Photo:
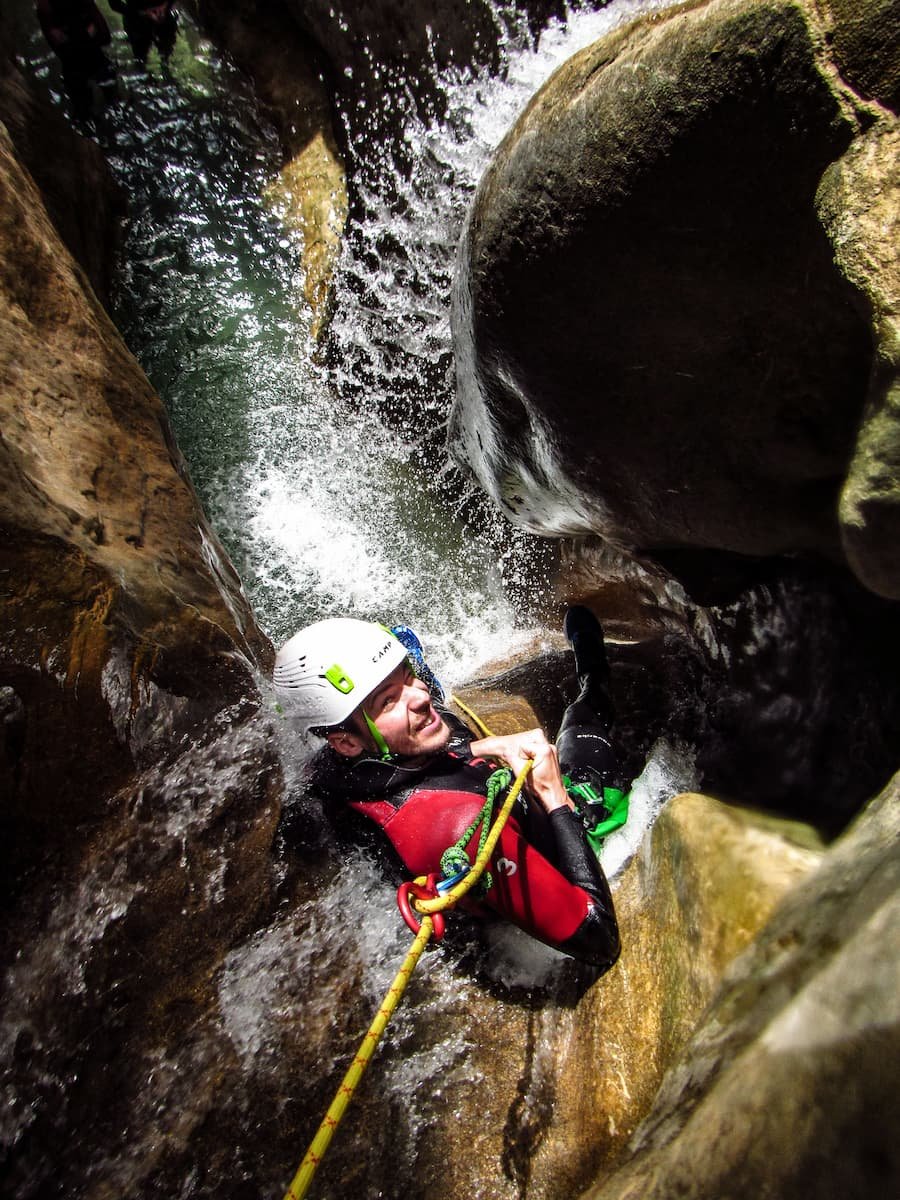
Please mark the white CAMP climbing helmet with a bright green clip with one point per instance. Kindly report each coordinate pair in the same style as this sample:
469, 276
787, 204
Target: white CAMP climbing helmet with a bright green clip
327, 670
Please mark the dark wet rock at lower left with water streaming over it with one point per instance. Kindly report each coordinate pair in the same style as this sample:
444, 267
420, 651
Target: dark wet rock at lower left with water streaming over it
112, 1049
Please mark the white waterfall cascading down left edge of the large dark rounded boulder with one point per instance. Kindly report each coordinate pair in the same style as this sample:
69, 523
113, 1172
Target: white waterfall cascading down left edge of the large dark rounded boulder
413, 237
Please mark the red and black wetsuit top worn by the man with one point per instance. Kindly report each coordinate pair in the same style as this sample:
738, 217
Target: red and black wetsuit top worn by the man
547, 879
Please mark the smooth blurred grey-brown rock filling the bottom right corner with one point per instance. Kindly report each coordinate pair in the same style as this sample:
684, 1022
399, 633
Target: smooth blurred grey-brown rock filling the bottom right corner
789, 1085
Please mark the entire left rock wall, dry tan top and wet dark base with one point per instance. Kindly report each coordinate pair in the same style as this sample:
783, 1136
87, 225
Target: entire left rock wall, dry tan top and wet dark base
140, 783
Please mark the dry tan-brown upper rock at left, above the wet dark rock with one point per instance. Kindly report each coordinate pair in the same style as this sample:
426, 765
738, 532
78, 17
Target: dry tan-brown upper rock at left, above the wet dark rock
125, 625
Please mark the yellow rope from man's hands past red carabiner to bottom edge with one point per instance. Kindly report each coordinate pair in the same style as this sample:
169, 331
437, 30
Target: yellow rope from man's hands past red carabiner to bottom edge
320, 1144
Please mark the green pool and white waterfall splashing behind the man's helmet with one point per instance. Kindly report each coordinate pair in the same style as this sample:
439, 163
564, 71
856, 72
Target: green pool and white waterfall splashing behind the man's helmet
321, 481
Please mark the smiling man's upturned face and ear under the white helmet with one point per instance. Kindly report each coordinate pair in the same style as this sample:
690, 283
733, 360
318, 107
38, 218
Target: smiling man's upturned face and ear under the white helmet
403, 712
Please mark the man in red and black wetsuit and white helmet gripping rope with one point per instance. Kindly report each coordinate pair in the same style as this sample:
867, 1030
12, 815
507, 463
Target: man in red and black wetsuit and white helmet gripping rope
398, 757
